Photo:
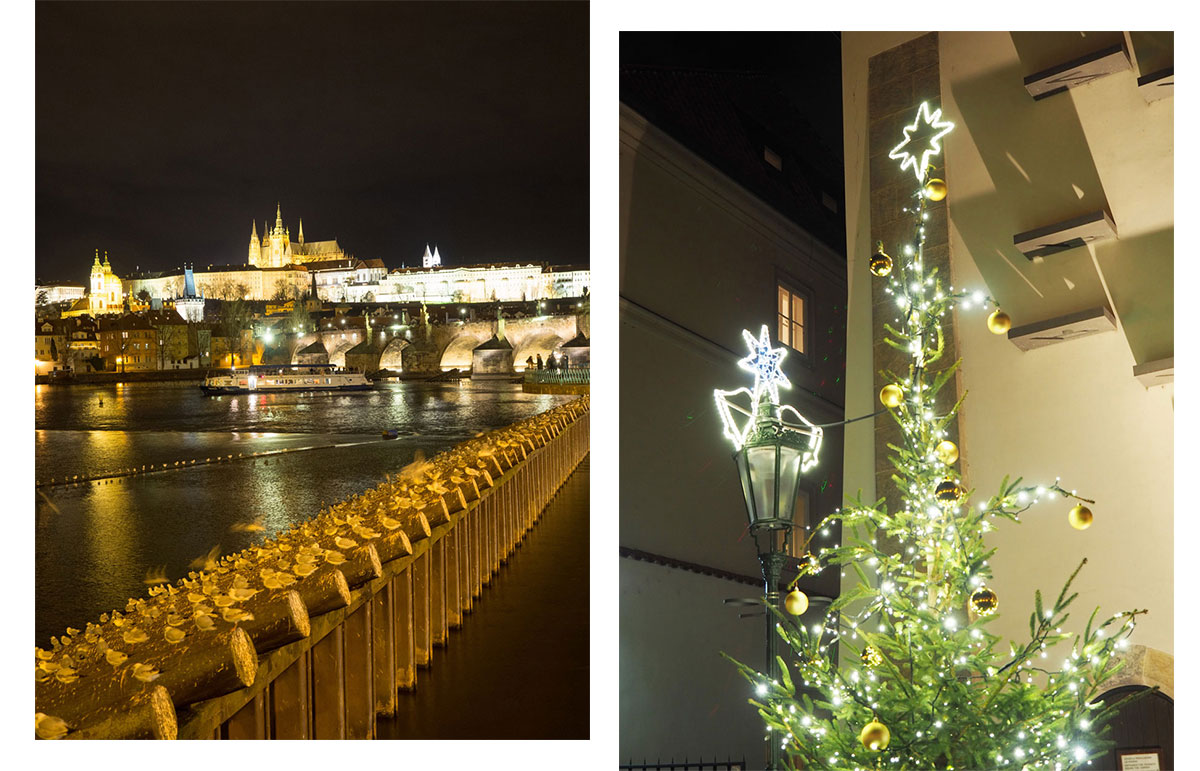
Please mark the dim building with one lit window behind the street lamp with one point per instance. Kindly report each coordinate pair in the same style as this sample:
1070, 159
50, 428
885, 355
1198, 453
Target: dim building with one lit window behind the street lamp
707, 253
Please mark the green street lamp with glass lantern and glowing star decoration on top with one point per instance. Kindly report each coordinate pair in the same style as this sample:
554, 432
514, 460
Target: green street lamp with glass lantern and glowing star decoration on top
771, 456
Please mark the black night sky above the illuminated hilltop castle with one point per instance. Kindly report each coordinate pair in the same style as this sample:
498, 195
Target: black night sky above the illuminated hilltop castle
165, 128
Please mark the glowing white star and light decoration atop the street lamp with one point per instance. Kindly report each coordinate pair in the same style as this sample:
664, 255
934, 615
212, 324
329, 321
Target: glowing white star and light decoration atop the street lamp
765, 363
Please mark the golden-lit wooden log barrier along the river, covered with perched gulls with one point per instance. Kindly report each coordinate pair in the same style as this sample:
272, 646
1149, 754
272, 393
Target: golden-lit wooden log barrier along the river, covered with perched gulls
314, 633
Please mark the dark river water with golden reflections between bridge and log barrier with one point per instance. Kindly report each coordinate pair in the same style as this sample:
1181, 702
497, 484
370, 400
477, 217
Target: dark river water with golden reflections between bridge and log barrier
98, 542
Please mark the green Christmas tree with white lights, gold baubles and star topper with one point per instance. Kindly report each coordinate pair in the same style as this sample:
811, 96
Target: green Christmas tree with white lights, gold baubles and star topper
922, 683
